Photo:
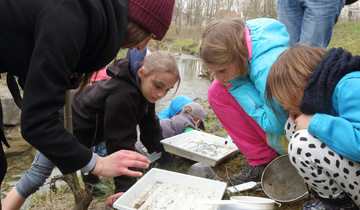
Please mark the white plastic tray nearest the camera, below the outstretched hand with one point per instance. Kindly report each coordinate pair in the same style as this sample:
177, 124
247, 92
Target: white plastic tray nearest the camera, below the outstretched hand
162, 189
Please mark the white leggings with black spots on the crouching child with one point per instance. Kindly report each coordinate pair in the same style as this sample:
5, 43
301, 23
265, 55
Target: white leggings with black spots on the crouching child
328, 173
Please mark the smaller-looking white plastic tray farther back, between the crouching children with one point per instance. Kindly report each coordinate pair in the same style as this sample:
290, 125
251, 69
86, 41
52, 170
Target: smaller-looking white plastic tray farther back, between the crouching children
201, 147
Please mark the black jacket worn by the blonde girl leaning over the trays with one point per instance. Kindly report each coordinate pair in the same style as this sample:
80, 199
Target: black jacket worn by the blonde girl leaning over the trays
110, 110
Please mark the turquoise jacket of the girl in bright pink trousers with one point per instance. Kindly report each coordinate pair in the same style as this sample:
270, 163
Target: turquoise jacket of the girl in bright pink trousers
268, 40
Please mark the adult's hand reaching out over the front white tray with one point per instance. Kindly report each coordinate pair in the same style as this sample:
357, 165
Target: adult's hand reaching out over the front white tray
118, 164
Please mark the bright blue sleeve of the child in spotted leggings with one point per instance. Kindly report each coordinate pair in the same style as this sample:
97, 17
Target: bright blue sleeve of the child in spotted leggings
341, 133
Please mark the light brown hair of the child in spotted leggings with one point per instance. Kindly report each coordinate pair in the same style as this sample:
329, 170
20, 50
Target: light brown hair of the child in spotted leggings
290, 74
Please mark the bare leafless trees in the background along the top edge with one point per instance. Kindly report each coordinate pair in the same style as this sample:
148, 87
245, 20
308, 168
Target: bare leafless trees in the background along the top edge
195, 14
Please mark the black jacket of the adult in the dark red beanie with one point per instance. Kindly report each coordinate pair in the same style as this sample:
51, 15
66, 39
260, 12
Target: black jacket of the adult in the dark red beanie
44, 42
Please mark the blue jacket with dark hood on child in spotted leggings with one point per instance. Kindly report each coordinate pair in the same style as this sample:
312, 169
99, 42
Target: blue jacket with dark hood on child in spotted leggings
333, 94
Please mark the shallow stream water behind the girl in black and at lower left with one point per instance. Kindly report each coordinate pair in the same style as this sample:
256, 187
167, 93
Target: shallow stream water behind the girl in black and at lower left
191, 85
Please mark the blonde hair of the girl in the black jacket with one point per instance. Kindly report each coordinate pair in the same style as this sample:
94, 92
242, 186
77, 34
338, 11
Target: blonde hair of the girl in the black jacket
160, 62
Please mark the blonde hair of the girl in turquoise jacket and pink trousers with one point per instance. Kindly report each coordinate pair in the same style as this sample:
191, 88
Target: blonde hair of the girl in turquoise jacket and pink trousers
223, 42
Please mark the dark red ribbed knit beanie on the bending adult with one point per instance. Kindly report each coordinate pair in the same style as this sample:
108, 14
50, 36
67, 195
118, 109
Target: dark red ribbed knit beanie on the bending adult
153, 15
